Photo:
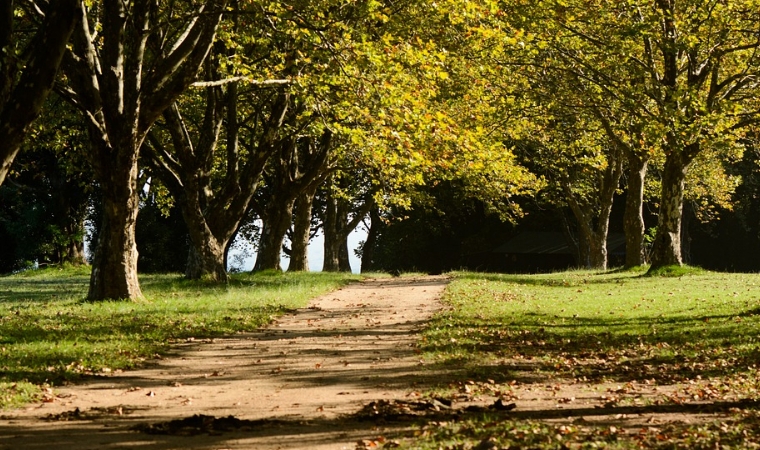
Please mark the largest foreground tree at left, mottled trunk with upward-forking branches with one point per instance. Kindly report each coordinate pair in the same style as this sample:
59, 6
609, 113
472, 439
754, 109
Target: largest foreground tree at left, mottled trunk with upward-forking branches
127, 65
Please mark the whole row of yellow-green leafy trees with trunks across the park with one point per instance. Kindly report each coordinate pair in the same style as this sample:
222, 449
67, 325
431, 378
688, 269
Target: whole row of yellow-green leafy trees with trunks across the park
318, 115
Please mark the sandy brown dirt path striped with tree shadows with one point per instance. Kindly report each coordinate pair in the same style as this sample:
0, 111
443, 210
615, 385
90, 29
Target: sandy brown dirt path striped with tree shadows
296, 380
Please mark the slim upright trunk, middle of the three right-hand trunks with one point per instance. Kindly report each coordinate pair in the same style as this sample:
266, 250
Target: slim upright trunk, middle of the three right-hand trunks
633, 220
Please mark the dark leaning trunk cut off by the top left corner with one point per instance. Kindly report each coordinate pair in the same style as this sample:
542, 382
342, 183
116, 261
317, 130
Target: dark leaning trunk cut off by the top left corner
28, 66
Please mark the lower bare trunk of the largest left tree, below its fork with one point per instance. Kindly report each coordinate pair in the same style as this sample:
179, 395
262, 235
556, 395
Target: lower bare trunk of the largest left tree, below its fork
114, 268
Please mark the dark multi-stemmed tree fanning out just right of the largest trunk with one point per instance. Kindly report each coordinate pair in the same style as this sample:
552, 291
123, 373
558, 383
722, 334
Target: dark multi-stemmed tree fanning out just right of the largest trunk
214, 197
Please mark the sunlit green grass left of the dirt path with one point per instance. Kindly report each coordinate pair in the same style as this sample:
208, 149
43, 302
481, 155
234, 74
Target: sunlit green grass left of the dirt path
50, 335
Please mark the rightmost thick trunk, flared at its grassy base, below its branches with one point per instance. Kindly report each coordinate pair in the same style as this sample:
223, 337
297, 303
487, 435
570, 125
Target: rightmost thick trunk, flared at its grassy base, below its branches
666, 250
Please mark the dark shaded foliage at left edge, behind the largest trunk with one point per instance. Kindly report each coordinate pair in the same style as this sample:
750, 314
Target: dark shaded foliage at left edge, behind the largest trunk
47, 197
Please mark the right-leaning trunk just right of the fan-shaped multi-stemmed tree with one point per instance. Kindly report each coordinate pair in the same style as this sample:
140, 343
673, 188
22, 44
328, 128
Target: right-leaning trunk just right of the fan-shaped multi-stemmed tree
276, 223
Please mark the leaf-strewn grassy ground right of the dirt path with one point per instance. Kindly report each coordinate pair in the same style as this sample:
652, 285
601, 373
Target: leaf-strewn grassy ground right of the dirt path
597, 360
